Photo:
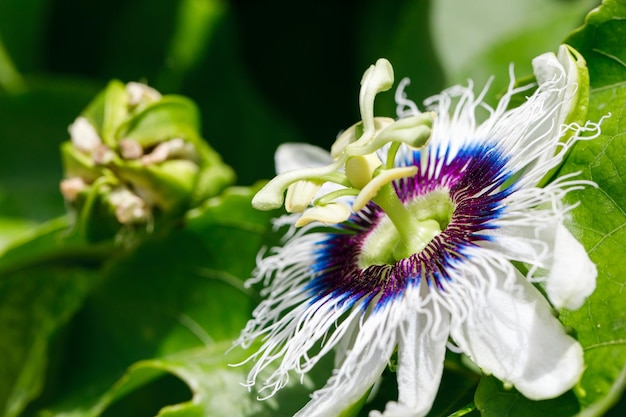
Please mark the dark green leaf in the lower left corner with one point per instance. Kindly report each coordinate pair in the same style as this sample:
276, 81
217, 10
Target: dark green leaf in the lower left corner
34, 303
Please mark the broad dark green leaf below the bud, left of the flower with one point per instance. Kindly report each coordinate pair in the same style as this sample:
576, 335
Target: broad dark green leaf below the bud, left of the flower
176, 293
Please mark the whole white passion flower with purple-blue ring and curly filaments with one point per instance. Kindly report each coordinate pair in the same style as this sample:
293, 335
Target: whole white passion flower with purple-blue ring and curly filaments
426, 254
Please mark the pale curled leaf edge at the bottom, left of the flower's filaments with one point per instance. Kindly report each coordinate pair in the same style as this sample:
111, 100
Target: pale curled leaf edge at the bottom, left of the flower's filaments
215, 380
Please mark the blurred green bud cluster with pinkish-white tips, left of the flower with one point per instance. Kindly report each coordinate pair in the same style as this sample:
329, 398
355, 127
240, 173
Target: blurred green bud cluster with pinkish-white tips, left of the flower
137, 158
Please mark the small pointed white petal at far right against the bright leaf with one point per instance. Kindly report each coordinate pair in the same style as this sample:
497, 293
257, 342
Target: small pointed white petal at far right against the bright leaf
572, 276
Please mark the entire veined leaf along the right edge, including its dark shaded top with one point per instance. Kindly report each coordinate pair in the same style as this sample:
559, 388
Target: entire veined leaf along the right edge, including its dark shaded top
599, 220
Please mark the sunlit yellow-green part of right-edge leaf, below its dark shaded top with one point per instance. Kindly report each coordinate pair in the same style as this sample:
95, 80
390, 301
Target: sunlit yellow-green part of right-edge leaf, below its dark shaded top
599, 223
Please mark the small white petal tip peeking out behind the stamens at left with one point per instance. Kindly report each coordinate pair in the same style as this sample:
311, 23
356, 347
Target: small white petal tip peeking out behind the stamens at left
290, 156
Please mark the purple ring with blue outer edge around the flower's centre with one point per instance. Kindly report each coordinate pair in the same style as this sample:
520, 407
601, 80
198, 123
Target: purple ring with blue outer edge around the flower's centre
474, 180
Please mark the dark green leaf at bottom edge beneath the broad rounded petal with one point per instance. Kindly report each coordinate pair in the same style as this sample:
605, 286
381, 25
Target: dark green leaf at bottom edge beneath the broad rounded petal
493, 400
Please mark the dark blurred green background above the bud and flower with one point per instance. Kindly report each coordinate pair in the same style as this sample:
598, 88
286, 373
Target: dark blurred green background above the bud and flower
262, 72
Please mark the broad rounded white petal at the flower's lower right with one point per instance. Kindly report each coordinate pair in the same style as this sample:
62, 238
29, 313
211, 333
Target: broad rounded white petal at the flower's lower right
512, 334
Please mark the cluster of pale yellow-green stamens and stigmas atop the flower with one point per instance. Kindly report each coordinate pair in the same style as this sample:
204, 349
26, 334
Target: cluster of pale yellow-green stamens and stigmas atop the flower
356, 165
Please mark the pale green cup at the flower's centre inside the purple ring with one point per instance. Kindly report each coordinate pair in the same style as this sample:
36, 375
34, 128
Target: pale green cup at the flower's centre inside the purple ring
428, 216
